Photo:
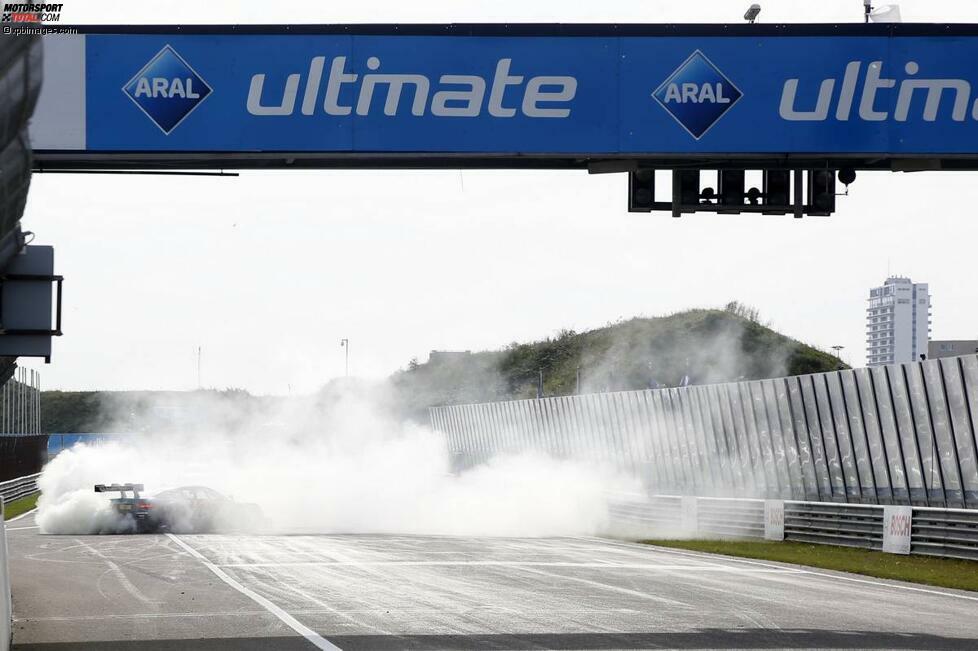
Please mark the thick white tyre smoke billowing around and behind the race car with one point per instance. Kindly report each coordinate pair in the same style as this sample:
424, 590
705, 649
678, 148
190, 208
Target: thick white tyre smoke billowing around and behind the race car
342, 465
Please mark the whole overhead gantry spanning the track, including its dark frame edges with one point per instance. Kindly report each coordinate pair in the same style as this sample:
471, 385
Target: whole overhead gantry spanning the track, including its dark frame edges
601, 97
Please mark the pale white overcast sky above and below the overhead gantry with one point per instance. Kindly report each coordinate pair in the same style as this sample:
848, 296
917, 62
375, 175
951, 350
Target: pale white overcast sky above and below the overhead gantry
266, 272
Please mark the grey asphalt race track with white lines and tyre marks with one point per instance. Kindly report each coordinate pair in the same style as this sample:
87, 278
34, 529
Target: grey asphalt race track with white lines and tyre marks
160, 592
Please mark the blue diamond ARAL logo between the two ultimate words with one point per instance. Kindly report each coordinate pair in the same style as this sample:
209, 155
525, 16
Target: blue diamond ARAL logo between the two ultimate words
697, 94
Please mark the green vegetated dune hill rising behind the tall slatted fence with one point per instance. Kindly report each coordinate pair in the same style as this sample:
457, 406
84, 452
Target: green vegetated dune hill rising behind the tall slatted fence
708, 345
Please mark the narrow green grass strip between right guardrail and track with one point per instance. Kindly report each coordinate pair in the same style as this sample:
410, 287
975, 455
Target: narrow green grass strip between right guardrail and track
942, 572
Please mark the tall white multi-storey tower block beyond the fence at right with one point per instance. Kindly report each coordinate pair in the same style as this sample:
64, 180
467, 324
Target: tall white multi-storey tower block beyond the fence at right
897, 322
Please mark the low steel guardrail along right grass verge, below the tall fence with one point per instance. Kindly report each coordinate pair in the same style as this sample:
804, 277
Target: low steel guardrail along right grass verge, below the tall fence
948, 533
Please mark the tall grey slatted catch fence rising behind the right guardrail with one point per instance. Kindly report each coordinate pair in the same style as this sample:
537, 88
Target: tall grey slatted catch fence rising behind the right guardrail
897, 434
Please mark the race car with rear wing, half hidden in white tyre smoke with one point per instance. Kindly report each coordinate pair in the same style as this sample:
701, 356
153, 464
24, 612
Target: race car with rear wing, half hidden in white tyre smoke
187, 509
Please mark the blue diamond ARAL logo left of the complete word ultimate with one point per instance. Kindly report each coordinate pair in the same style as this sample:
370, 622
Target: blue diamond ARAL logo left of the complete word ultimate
167, 89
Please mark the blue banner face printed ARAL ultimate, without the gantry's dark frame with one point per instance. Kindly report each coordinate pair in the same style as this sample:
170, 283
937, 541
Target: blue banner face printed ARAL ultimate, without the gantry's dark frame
537, 95
